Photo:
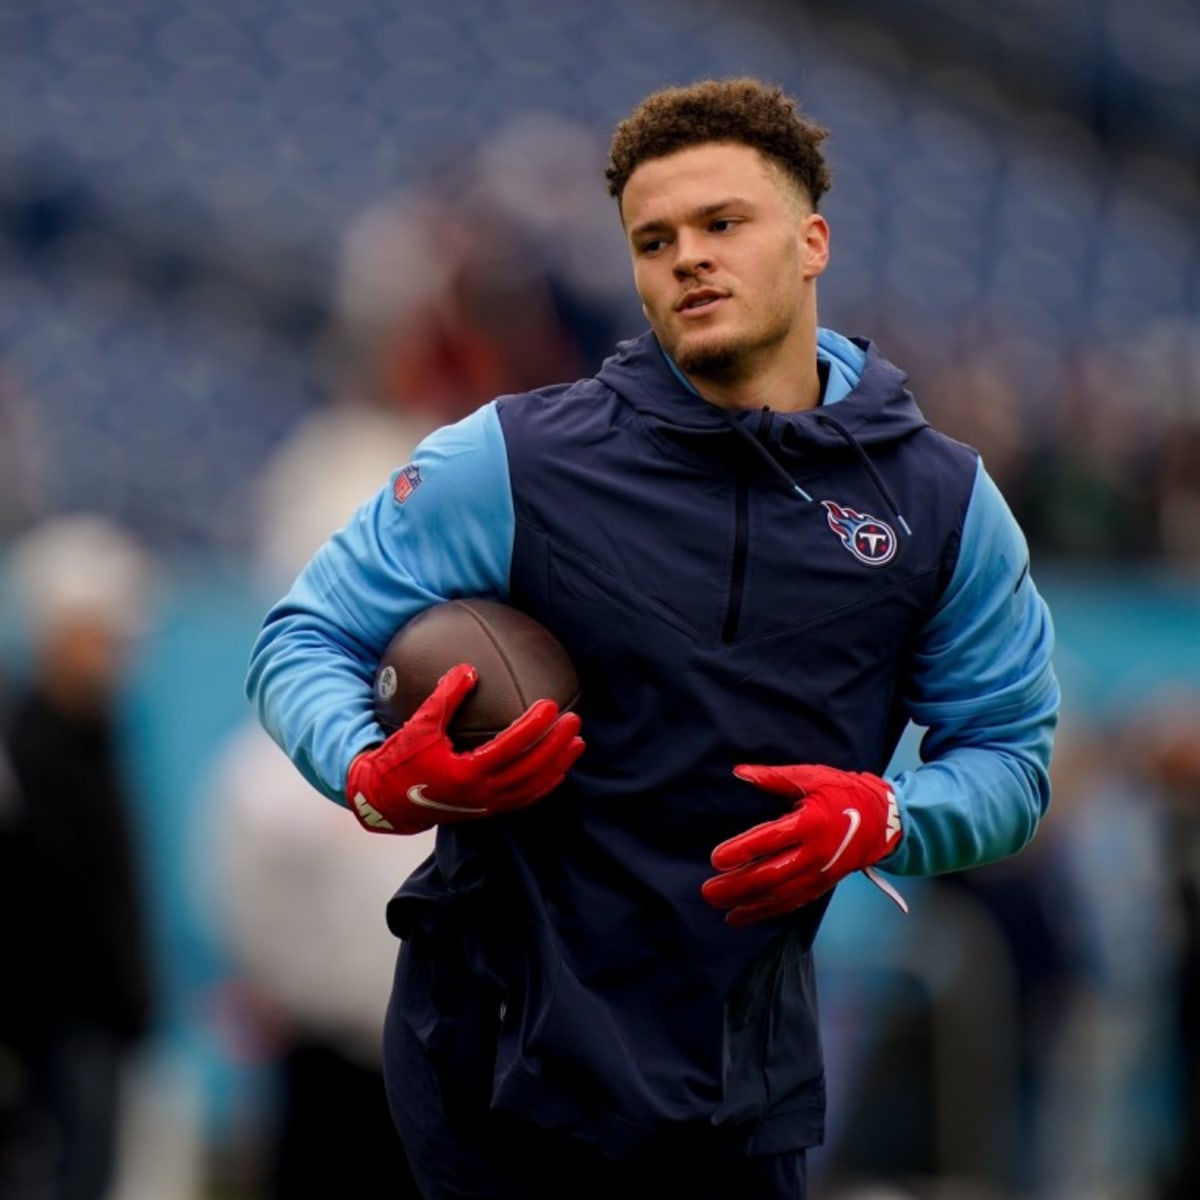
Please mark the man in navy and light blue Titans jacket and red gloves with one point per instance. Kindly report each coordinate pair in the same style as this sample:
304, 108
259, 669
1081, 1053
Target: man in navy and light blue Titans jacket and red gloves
765, 565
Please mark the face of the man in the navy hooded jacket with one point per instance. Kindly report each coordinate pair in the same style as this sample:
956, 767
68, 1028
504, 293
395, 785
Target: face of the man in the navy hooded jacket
727, 254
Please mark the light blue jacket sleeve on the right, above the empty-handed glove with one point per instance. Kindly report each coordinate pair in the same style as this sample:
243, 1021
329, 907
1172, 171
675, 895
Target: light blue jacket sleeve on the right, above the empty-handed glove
985, 689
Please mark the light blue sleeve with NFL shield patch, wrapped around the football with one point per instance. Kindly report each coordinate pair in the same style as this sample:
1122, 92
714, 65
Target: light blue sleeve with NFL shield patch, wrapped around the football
446, 533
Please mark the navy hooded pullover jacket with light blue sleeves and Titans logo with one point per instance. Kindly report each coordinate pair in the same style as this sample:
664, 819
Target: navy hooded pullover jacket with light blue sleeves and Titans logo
734, 587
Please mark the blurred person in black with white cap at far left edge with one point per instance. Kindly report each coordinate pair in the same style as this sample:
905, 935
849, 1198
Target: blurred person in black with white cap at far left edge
79, 986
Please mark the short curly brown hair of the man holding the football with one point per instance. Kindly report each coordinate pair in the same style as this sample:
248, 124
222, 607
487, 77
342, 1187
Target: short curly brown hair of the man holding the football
743, 111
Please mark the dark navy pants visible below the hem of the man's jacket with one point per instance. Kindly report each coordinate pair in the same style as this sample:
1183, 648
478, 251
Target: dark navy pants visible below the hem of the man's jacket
497, 1157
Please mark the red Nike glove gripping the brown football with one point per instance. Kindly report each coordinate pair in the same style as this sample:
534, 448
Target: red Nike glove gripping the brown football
417, 779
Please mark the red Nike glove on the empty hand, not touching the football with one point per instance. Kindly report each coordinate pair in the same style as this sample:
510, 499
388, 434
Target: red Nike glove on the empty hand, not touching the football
843, 821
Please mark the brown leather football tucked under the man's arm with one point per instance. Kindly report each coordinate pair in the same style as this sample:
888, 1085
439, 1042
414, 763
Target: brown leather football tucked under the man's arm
519, 662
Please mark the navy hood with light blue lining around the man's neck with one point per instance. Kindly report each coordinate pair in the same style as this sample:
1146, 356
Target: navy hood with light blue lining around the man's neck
865, 394
